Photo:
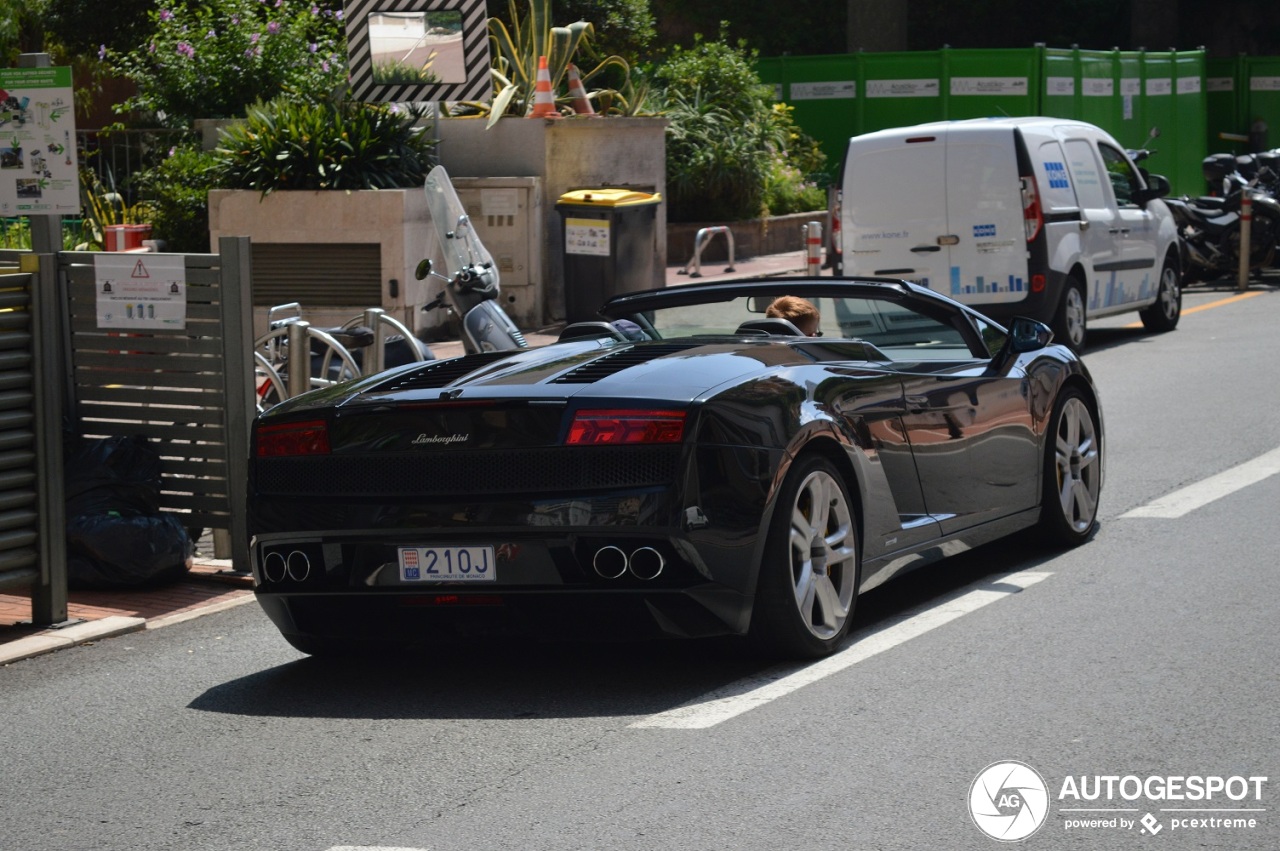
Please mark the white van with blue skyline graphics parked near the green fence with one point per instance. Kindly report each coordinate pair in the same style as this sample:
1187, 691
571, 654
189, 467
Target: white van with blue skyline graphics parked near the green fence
1035, 217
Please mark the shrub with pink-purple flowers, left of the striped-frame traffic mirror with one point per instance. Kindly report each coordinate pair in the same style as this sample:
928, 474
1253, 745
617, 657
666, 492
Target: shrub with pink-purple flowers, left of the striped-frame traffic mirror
216, 60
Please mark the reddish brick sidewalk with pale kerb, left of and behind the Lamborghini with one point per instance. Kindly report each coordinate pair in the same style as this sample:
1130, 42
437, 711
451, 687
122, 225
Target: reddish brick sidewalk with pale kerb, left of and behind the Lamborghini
212, 587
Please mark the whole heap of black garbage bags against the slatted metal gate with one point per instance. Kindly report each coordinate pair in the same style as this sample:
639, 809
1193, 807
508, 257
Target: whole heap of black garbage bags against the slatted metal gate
116, 534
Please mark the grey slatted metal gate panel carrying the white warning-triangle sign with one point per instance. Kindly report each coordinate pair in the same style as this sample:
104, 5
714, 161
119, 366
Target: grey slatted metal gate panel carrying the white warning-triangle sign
189, 392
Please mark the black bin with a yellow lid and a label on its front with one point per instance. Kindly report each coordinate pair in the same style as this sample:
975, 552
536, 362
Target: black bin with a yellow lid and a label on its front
610, 246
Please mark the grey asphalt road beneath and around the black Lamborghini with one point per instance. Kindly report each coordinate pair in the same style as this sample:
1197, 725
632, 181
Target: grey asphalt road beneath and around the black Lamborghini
1150, 655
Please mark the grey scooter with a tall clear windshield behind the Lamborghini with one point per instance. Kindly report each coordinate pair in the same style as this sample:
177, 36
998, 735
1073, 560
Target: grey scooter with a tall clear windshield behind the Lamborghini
472, 286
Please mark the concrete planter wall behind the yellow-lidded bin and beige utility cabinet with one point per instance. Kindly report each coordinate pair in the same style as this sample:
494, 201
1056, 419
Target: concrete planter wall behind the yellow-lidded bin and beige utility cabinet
565, 155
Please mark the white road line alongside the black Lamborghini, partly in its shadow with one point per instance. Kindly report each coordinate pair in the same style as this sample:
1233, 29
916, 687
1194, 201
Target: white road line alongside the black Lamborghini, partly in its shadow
748, 694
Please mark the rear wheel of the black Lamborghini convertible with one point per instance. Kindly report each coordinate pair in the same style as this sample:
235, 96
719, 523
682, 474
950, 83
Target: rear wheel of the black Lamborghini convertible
808, 584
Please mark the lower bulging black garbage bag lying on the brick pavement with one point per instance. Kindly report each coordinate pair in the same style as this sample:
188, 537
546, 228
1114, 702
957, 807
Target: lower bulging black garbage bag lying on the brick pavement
126, 551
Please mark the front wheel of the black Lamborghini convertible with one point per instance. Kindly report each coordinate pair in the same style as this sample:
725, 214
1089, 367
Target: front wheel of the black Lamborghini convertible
1072, 481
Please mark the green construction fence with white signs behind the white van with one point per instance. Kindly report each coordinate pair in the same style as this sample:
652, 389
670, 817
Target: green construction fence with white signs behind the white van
1200, 106
